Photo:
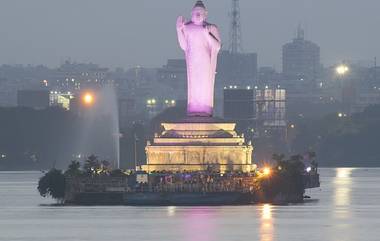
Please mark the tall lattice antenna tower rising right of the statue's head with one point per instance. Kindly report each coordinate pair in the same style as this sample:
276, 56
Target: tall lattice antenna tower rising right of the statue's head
235, 31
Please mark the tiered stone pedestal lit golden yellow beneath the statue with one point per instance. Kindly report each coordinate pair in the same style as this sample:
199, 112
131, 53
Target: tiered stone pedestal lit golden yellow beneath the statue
199, 144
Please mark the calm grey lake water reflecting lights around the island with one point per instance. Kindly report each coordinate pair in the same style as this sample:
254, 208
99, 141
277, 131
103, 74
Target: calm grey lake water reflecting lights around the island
346, 207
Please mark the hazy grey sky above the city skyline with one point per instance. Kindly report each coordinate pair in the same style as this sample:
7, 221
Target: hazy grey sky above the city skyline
142, 32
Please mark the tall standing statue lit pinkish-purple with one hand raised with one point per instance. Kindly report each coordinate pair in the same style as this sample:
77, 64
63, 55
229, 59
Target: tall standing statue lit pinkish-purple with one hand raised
201, 42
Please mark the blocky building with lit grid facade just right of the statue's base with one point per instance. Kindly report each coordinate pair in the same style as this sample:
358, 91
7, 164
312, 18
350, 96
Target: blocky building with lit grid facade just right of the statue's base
258, 112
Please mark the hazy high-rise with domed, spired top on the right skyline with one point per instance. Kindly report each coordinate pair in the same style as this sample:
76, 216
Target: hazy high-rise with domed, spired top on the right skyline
301, 59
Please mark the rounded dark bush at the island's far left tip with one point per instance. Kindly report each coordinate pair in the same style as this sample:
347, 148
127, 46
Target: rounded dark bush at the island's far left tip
52, 184
